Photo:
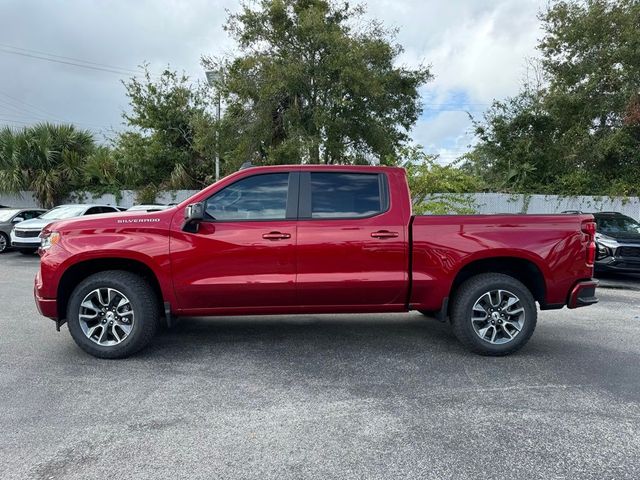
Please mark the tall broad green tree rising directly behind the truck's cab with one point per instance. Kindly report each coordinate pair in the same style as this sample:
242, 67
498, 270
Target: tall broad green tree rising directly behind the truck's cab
314, 83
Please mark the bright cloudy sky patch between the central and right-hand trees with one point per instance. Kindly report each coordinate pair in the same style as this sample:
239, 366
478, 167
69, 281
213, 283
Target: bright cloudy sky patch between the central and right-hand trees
477, 52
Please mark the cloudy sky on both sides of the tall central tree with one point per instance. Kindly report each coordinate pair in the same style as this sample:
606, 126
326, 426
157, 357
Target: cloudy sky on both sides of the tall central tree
477, 50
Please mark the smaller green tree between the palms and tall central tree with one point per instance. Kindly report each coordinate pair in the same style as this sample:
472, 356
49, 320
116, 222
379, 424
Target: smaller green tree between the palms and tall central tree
167, 145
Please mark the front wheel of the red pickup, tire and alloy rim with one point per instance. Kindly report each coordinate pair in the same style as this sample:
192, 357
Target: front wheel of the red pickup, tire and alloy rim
113, 314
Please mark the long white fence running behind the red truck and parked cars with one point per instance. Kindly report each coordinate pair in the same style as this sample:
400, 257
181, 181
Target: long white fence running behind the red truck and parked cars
483, 202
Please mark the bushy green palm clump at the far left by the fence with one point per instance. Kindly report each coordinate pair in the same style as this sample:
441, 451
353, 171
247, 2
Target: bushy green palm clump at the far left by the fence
47, 159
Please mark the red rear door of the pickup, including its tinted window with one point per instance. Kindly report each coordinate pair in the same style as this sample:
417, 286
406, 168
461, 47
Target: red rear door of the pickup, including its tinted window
351, 243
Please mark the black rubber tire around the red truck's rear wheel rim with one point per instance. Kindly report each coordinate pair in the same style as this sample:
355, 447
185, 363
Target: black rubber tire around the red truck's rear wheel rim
462, 311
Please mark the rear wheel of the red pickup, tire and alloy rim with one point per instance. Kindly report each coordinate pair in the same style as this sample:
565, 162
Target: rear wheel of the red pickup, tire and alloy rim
493, 314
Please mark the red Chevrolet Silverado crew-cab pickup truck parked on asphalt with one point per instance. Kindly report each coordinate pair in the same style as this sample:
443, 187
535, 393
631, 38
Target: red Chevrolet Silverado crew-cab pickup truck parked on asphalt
310, 239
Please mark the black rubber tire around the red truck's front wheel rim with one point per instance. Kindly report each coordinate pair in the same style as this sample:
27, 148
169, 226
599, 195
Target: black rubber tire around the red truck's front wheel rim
144, 303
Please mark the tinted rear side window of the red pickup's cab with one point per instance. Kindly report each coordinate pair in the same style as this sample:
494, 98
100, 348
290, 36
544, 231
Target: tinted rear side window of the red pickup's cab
346, 195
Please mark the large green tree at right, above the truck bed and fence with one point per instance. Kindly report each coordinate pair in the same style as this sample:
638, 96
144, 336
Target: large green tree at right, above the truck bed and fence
578, 131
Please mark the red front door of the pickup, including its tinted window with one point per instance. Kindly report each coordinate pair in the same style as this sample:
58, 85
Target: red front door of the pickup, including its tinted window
243, 254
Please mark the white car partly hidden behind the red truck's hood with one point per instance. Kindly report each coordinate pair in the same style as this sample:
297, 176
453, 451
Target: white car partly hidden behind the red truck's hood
25, 237
